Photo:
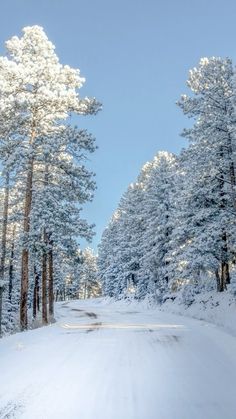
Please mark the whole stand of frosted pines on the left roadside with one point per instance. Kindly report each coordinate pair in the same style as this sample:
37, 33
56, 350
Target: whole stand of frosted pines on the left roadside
45, 180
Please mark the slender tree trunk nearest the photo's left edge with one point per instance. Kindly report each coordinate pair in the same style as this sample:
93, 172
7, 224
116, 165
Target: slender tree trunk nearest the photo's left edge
4, 243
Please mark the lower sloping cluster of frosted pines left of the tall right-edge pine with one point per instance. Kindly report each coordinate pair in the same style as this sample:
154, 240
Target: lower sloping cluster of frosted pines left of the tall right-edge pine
133, 254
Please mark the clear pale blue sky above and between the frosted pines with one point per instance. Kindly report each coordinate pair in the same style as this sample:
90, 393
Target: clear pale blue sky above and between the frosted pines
135, 55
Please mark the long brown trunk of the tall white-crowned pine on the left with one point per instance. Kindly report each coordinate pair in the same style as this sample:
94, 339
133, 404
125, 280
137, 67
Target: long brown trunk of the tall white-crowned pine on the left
25, 251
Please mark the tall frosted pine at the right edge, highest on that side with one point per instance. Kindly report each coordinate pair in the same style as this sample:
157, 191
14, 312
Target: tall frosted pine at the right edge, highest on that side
212, 161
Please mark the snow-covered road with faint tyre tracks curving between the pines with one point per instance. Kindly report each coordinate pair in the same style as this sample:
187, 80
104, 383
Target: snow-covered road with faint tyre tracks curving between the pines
111, 361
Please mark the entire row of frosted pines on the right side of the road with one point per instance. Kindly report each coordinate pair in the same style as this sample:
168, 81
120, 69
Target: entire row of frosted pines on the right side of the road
174, 230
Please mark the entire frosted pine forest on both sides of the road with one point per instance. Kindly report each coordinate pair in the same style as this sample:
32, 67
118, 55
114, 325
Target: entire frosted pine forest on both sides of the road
174, 229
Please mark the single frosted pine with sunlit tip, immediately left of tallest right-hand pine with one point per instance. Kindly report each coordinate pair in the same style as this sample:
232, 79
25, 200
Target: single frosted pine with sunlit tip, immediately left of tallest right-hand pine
159, 188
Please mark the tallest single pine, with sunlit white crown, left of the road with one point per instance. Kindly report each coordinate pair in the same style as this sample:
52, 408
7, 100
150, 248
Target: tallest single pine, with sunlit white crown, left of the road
39, 95
